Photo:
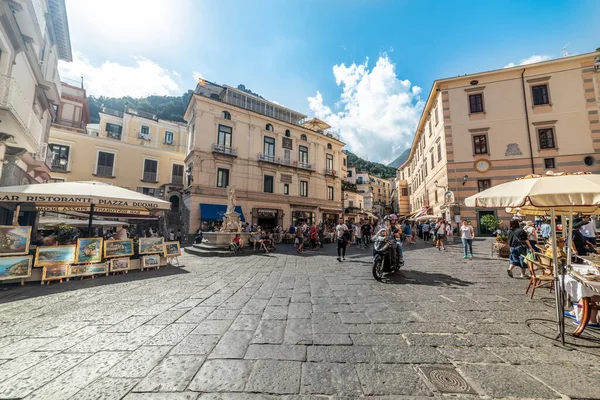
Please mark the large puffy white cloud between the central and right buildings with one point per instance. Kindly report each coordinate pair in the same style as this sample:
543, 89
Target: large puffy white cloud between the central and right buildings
378, 112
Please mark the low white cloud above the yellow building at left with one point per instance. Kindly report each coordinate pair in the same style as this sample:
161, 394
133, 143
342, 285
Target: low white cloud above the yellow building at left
112, 79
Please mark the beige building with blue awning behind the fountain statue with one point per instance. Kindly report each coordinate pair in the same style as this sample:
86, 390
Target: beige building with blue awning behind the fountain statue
284, 169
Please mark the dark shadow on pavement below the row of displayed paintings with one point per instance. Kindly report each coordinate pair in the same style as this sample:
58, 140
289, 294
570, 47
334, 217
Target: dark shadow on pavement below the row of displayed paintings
16, 292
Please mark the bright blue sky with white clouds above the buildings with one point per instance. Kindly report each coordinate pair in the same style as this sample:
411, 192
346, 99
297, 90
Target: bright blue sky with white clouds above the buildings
364, 66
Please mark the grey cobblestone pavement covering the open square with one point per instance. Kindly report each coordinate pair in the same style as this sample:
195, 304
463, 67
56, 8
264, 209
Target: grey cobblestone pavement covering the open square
292, 326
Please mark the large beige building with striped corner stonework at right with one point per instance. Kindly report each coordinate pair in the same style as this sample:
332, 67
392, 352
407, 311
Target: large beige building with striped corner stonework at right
484, 129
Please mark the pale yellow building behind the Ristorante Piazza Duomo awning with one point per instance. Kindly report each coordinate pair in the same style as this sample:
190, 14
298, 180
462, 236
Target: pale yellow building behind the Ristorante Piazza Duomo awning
130, 149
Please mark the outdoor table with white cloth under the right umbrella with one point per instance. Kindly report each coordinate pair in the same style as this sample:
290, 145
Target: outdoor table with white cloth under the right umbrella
579, 288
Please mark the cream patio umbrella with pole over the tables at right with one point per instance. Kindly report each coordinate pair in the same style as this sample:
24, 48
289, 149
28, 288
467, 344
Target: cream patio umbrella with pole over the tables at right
578, 192
